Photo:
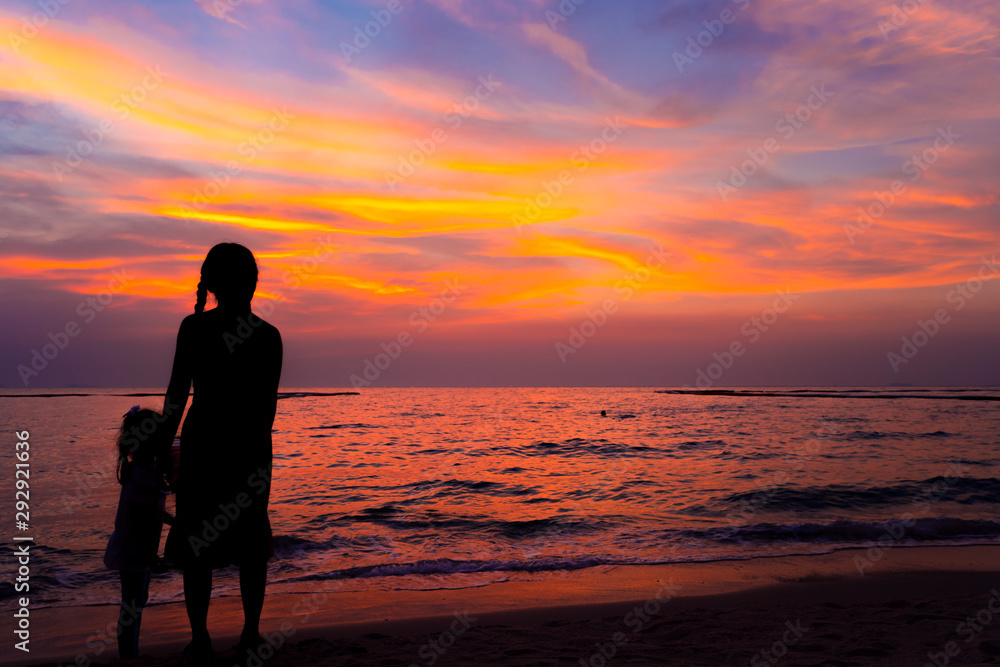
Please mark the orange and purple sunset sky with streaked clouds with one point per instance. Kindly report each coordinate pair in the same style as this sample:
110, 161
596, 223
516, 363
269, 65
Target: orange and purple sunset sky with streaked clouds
515, 192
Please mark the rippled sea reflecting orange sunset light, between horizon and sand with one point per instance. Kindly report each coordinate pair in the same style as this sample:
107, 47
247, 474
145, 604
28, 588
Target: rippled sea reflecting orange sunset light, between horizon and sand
449, 488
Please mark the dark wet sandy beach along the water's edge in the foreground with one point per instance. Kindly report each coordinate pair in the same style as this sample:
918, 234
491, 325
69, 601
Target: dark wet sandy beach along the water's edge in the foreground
911, 607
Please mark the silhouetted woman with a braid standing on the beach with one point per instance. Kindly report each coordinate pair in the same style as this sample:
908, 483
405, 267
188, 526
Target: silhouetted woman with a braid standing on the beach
224, 480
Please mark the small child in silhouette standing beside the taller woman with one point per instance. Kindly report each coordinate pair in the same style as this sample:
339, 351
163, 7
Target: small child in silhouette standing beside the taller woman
133, 545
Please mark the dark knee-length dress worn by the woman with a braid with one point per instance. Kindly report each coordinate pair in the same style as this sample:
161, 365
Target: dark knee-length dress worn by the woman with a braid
224, 482
